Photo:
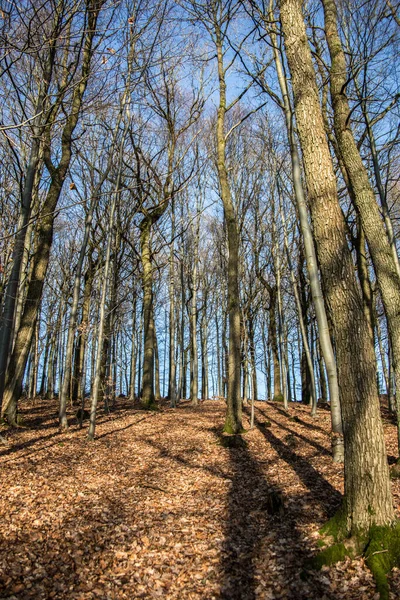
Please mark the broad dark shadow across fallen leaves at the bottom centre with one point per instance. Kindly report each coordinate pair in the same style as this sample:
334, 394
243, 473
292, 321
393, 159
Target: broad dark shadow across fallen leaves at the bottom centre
261, 536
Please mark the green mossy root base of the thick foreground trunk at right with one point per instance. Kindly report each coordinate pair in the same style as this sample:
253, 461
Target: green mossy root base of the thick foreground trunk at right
380, 547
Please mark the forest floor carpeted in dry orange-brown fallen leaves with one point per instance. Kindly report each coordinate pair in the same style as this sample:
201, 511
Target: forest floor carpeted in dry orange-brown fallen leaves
156, 507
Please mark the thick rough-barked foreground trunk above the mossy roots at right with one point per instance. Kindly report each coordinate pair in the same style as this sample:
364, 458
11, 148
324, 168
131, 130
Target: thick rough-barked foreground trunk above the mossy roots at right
367, 498
